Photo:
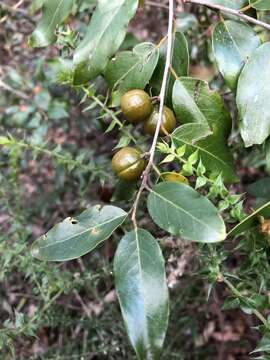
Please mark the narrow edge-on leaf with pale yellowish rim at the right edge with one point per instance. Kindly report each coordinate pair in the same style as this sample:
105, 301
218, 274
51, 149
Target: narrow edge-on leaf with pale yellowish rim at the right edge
251, 221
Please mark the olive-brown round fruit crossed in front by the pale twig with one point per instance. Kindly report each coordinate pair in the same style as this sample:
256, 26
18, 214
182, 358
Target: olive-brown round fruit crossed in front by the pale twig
168, 122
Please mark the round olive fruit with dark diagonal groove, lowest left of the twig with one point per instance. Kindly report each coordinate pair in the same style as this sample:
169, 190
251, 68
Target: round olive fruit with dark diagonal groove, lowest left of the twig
128, 164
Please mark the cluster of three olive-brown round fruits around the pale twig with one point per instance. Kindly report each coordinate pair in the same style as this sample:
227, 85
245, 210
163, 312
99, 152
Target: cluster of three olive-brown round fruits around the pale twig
136, 106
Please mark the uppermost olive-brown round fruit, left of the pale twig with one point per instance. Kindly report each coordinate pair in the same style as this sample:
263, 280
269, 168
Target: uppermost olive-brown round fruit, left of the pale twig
136, 105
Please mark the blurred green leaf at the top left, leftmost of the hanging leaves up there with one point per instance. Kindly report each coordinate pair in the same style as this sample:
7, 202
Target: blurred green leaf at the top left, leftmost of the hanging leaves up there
54, 13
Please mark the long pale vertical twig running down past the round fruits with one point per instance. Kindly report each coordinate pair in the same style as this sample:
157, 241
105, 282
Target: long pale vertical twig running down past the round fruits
162, 95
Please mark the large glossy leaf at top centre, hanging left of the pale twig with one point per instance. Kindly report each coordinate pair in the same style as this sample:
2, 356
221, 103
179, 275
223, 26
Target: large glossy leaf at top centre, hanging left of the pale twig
105, 34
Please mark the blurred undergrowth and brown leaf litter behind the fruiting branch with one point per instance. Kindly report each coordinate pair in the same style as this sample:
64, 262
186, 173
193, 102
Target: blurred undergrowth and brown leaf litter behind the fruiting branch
57, 163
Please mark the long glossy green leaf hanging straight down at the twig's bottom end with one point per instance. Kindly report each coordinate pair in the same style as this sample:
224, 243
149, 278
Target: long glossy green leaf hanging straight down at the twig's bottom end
142, 292
